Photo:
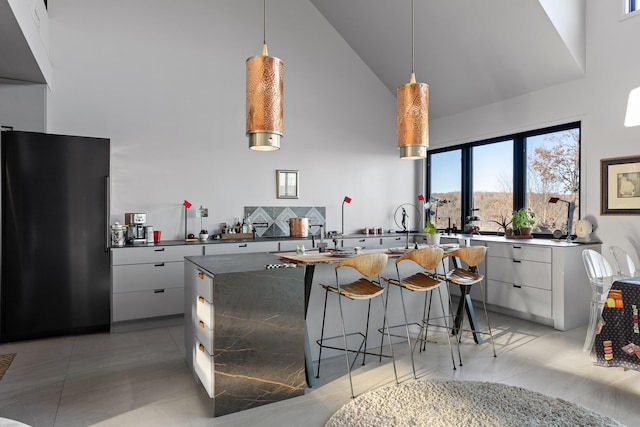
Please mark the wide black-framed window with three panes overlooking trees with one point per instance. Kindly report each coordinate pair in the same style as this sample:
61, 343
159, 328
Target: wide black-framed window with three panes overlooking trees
486, 180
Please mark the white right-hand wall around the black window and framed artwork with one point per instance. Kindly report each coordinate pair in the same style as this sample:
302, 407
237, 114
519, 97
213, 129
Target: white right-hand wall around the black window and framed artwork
599, 101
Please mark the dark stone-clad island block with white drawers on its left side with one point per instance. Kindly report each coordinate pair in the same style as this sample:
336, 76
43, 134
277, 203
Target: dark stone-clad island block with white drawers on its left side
244, 329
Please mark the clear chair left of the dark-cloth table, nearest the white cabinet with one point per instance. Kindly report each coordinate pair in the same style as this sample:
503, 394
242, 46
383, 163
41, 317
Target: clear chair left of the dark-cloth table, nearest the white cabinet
601, 278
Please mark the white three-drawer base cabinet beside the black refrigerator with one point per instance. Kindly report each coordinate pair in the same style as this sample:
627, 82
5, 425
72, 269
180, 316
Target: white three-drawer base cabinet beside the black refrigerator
148, 281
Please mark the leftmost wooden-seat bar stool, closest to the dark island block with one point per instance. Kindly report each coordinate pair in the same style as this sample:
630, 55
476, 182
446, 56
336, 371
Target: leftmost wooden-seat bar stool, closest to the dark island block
367, 287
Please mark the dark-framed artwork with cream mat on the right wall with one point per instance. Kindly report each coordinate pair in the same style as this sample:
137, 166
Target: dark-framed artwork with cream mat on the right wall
620, 186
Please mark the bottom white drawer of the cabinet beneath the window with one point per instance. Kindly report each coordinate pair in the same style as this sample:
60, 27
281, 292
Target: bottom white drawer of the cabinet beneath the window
523, 299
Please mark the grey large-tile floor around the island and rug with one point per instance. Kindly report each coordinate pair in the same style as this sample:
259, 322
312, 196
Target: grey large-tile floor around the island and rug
140, 379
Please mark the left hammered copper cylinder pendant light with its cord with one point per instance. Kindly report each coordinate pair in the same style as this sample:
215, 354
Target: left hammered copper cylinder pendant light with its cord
264, 98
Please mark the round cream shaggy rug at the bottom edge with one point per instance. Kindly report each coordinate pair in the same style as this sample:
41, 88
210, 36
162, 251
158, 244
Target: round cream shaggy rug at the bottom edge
462, 403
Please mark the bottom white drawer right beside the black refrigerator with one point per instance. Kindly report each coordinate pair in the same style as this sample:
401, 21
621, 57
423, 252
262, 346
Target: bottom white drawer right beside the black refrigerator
144, 304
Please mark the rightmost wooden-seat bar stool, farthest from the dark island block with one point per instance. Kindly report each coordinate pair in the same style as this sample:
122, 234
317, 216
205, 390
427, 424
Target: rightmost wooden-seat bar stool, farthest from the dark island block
465, 279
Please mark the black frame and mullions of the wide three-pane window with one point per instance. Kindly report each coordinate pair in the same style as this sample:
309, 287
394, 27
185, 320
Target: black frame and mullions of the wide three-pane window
519, 167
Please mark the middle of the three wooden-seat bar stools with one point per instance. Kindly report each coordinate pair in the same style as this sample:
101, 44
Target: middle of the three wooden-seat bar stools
426, 281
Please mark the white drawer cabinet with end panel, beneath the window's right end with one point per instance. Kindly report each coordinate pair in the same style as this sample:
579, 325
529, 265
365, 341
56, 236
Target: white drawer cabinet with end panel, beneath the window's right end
538, 282
